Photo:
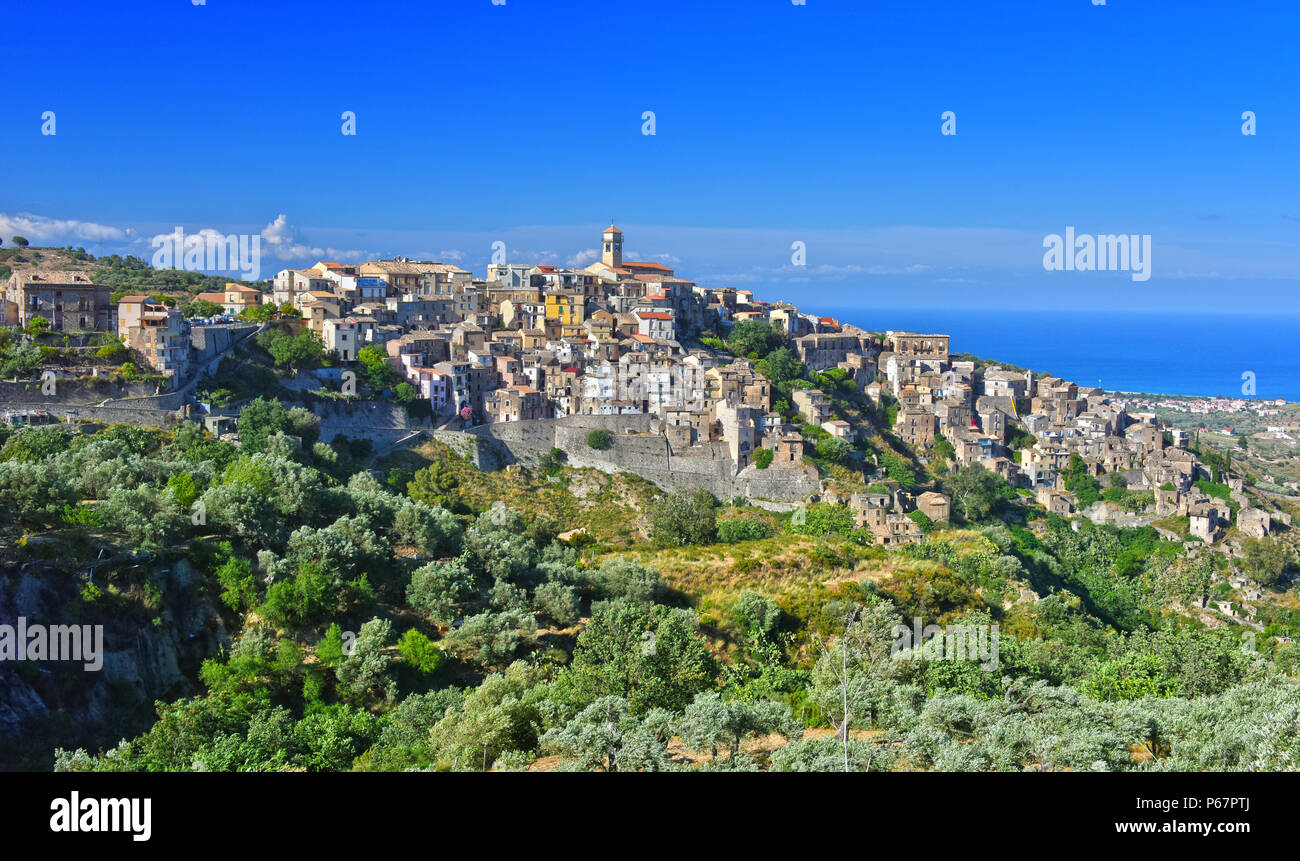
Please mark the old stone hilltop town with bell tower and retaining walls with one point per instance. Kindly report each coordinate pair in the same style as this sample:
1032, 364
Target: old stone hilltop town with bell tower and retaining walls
632, 352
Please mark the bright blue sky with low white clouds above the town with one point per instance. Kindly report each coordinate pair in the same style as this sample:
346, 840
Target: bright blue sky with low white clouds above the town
774, 124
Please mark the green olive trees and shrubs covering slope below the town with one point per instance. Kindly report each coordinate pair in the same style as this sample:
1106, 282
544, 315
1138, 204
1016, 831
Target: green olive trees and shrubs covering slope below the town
417, 613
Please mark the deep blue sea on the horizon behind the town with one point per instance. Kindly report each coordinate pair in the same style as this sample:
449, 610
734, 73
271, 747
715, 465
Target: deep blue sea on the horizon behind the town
1184, 353
